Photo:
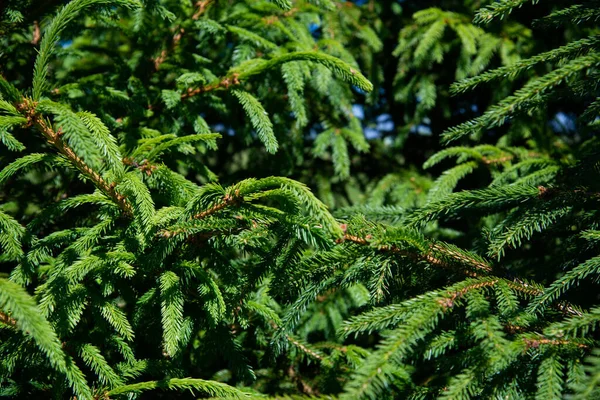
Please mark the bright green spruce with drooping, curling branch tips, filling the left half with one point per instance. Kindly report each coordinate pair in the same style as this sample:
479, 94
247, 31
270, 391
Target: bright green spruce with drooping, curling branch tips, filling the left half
129, 267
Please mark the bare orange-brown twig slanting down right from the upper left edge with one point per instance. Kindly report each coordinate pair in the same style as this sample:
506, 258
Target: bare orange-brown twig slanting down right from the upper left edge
54, 138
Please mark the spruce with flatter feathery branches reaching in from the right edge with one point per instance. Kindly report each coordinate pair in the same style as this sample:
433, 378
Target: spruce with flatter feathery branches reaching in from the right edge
509, 313
